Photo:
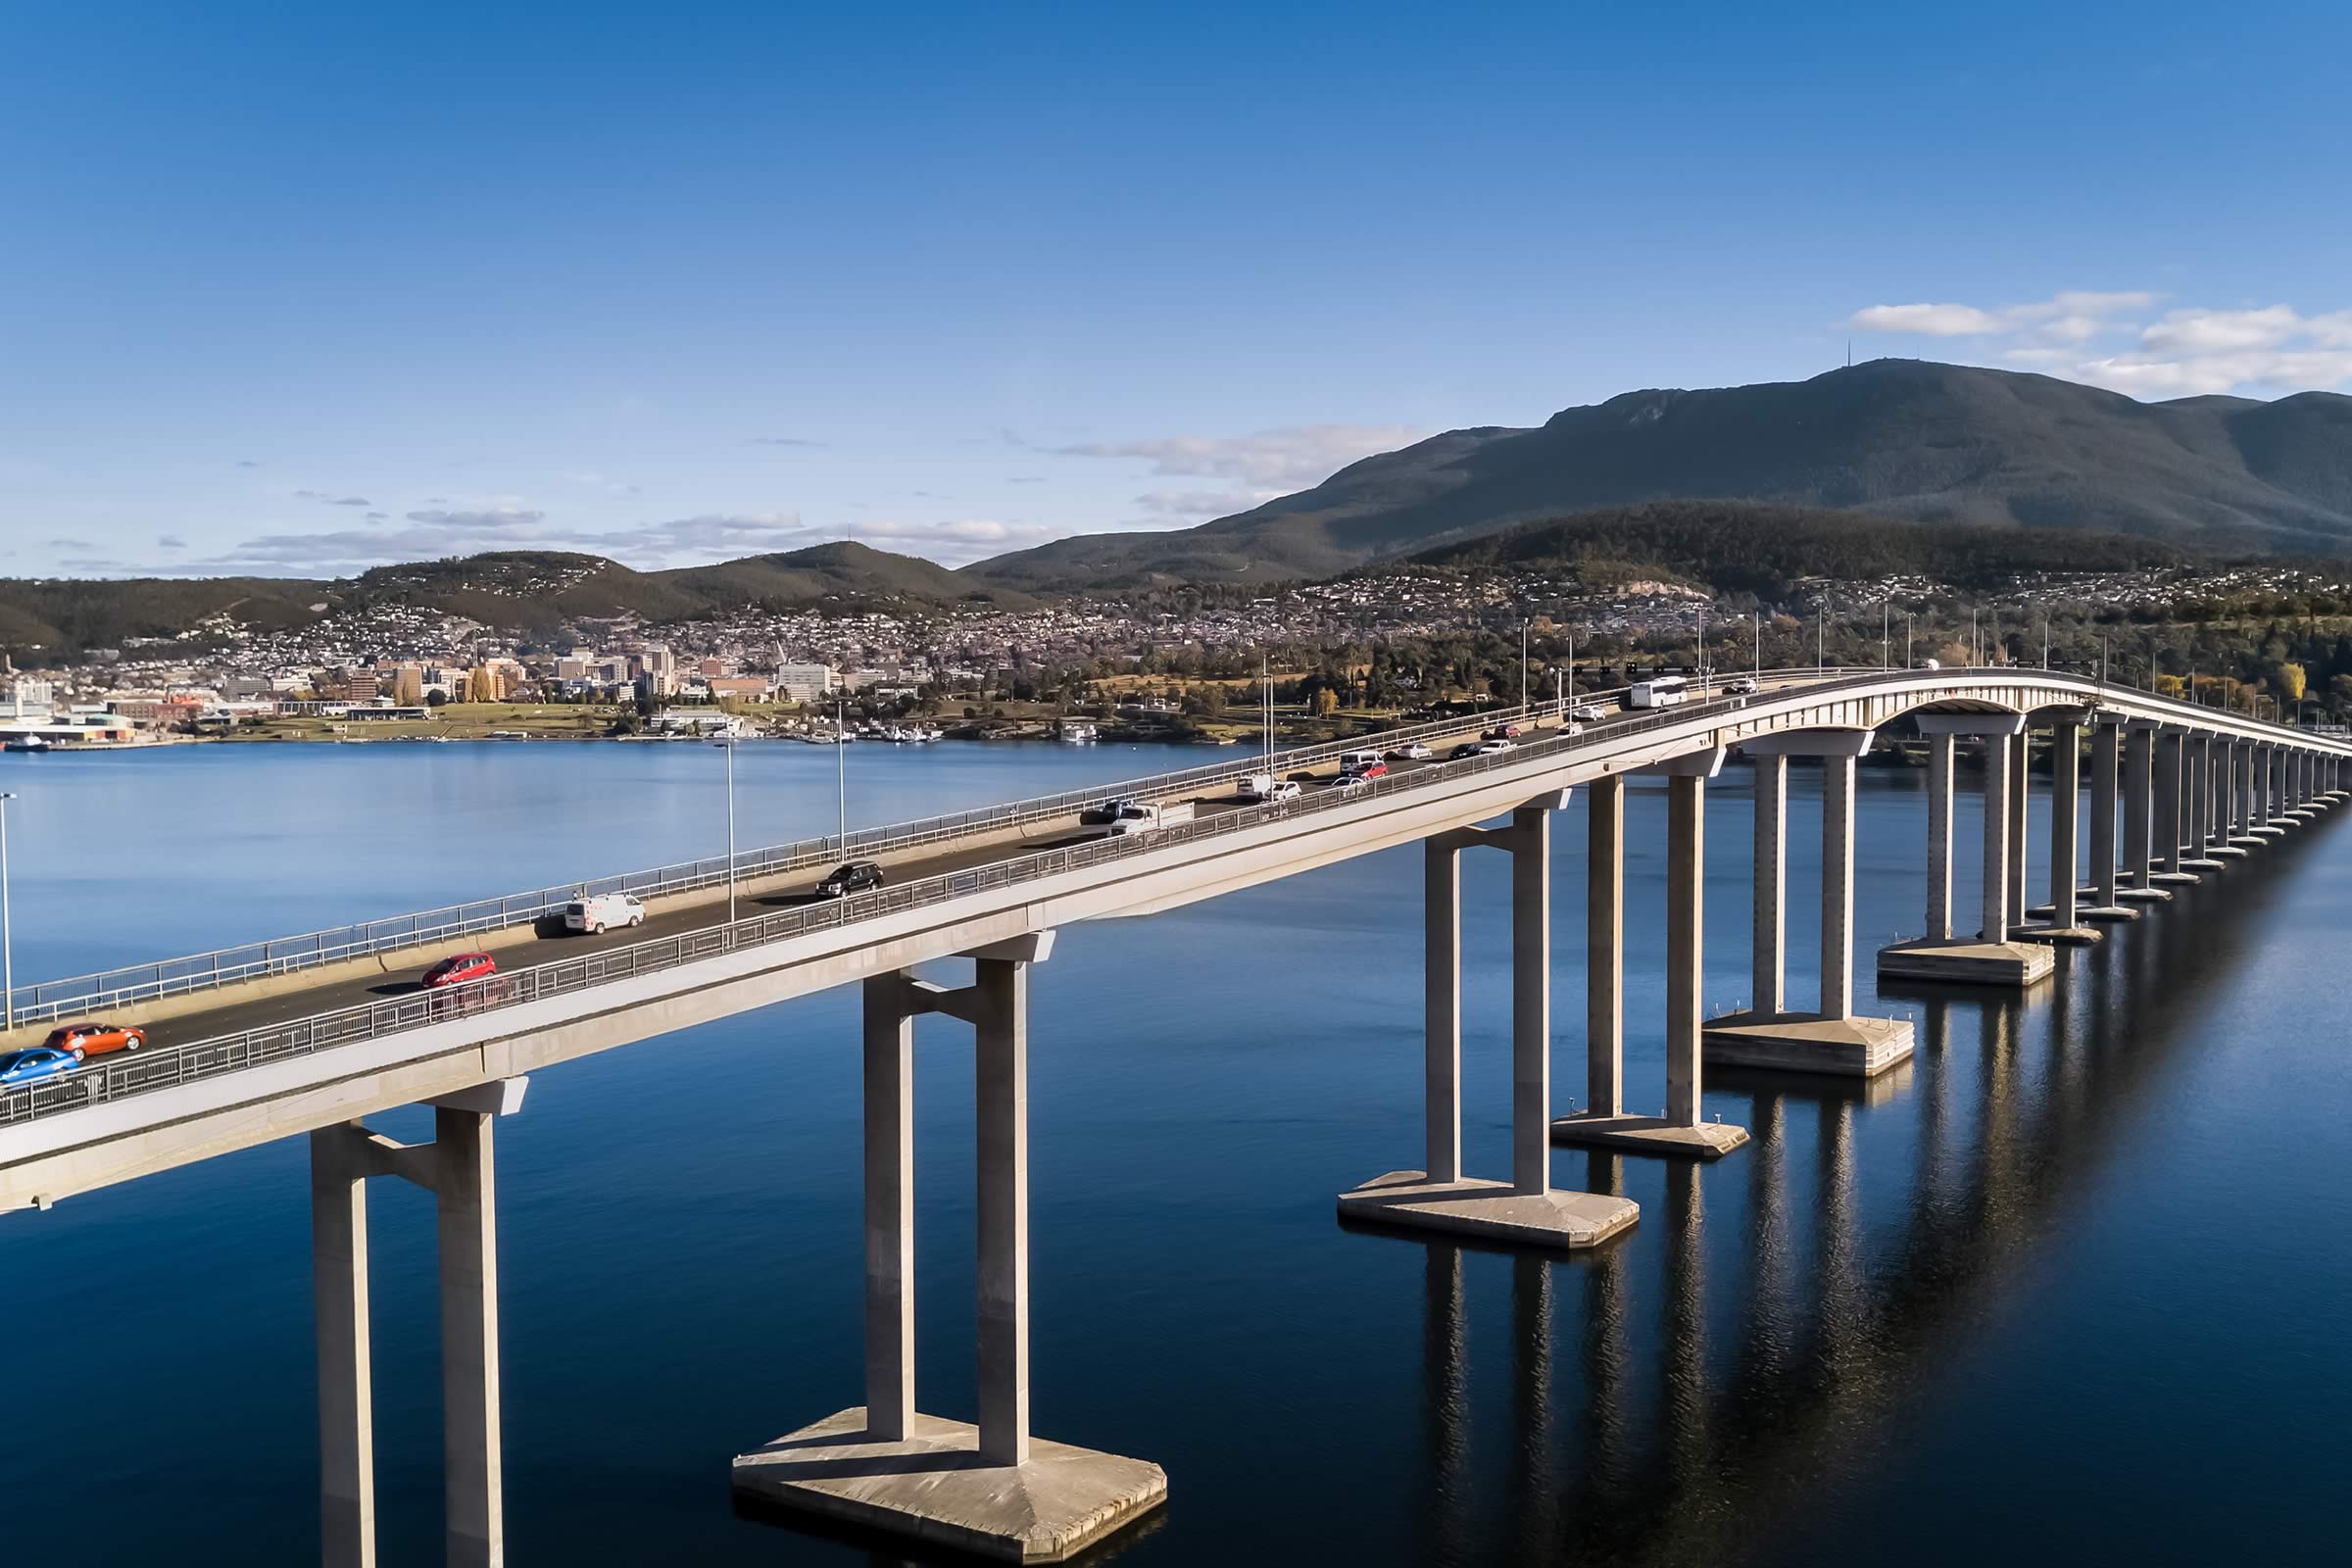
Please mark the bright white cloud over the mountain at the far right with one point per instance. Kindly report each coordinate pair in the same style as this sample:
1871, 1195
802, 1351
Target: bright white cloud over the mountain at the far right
2177, 356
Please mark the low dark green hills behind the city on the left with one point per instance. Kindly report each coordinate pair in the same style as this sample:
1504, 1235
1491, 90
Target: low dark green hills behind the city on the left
507, 589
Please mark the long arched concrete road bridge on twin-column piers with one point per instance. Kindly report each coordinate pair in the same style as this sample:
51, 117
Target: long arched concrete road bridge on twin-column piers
319, 1033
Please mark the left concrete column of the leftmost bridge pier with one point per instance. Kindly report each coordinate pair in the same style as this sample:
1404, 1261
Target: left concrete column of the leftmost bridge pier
347, 1423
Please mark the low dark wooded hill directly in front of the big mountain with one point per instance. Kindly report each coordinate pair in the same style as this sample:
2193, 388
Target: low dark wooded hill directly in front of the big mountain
1749, 547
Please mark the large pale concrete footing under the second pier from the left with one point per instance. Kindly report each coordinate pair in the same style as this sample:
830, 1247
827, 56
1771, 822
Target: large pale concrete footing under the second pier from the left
935, 1487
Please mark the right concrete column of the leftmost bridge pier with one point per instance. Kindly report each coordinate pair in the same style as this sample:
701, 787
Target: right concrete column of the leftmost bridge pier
469, 1287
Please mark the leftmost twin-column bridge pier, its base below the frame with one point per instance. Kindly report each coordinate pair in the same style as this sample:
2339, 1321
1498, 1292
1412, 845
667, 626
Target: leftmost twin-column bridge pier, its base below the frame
460, 1172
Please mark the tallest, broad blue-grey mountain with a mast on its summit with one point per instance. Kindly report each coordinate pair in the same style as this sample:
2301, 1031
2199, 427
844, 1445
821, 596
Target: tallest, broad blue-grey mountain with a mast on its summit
1904, 438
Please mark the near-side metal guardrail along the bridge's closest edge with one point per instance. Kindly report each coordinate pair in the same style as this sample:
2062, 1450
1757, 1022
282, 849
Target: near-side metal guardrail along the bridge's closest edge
377, 1019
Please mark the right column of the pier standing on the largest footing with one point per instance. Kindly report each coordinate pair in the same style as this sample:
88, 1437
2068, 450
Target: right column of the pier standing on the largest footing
1001, 1059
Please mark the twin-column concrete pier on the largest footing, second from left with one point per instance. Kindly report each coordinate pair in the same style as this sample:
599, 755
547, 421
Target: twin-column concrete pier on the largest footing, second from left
975, 1487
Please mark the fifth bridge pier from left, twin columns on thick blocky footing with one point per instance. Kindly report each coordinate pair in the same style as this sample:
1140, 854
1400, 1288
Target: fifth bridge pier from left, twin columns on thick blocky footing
1829, 1040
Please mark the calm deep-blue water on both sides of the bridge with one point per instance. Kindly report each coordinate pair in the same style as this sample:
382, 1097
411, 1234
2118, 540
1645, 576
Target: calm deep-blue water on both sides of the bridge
2076, 1278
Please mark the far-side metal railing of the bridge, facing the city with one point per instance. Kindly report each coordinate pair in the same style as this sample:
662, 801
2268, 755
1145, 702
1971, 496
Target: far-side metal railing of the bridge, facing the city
131, 984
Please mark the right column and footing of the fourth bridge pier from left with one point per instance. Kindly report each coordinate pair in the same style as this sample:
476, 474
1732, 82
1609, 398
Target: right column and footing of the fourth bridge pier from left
1681, 1132
